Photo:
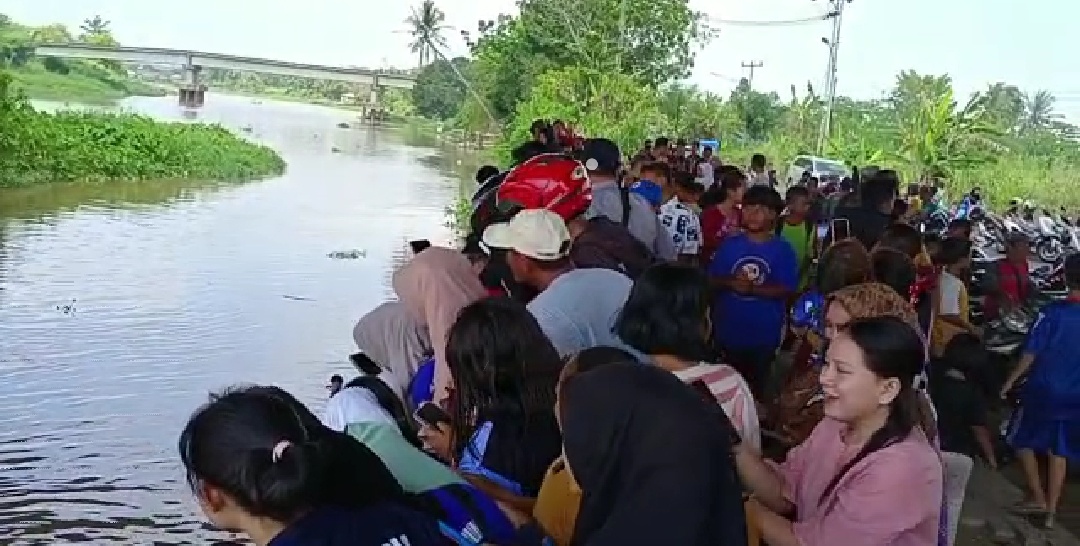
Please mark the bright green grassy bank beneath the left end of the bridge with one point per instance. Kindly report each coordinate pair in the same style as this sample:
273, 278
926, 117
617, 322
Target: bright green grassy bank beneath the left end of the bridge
94, 88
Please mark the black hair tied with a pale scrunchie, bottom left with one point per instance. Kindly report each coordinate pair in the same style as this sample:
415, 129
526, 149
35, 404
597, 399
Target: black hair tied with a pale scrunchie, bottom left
273, 457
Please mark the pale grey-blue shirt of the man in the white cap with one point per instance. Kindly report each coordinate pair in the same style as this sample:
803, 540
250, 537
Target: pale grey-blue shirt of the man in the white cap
579, 309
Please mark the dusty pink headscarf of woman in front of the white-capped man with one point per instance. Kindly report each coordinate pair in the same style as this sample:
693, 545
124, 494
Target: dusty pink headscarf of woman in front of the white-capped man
435, 286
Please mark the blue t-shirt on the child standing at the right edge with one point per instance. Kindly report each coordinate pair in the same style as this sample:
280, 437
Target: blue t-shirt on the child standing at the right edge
1054, 389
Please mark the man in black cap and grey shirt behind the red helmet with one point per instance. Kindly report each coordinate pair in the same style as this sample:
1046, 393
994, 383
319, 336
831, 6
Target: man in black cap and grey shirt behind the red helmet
602, 160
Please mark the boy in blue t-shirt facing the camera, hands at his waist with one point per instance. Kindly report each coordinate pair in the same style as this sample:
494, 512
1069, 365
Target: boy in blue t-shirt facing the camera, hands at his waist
755, 274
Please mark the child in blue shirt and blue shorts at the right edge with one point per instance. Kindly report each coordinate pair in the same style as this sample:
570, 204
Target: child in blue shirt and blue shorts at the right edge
1048, 421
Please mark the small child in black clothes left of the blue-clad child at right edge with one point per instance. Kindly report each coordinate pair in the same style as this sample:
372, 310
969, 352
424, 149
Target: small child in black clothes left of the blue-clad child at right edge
962, 402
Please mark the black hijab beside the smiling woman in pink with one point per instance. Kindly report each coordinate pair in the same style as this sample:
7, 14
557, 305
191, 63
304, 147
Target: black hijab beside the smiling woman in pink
653, 461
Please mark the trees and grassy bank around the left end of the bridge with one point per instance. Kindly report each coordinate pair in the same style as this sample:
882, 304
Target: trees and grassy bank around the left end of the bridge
56, 79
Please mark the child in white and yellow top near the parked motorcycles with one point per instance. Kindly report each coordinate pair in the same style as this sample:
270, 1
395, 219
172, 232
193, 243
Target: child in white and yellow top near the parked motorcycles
953, 313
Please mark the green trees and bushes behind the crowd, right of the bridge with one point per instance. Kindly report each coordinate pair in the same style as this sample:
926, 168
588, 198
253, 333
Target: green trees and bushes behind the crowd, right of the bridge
613, 69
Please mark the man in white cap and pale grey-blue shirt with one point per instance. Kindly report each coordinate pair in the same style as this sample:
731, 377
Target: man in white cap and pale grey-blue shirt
577, 308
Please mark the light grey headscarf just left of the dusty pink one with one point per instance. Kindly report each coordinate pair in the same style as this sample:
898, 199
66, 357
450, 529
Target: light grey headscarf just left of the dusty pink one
395, 340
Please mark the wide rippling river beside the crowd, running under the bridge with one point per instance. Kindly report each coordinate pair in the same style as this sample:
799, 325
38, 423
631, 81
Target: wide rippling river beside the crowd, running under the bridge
123, 306
